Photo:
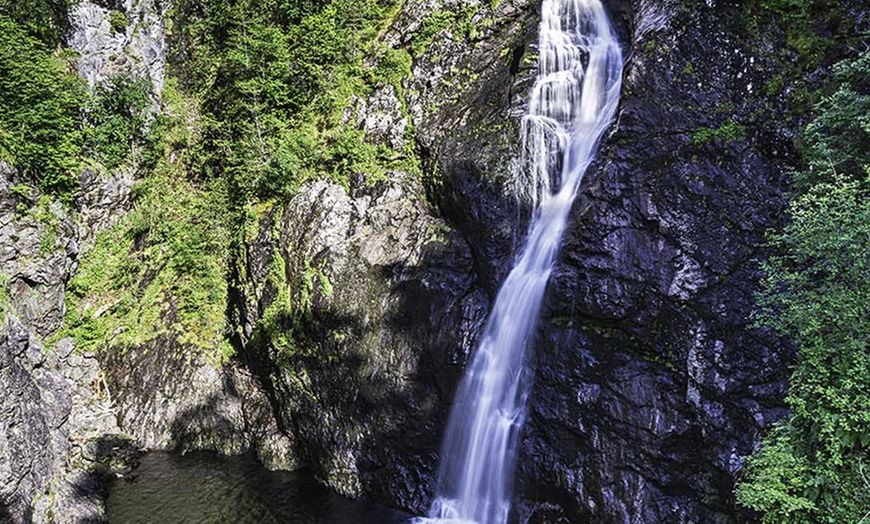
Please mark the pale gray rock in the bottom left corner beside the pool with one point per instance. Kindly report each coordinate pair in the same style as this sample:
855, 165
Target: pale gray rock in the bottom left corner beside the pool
58, 435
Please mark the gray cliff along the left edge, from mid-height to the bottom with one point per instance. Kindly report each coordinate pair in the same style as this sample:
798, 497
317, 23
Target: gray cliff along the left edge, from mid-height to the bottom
59, 435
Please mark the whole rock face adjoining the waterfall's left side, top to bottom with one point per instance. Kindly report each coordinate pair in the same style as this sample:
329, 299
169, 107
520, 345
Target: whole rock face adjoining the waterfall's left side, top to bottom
395, 295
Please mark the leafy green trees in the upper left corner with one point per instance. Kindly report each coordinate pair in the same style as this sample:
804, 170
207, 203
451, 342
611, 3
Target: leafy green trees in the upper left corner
49, 122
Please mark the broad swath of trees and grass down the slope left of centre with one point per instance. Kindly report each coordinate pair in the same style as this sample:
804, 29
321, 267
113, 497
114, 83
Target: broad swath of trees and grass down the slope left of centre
257, 110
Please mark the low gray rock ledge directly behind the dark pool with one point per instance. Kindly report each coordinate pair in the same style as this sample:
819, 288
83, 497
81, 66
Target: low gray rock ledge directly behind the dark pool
170, 396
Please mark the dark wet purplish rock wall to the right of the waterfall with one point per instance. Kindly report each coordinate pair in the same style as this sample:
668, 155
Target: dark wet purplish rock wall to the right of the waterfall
651, 383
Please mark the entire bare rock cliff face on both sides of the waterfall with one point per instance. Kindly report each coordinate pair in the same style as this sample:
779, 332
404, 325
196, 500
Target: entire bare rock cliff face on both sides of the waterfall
354, 308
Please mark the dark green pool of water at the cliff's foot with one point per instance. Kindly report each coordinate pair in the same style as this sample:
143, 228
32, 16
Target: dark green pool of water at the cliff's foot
201, 488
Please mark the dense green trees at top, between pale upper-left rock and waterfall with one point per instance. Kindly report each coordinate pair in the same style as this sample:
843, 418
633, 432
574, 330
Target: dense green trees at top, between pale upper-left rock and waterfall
273, 80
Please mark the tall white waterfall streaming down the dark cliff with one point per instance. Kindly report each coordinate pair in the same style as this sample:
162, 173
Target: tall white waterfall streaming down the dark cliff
573, 101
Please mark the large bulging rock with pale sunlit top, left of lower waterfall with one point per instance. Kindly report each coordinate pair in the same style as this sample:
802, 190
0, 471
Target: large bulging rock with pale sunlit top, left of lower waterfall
357, 375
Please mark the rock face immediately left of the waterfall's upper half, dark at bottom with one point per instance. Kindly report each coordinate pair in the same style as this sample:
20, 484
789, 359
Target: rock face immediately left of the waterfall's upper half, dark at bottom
466, 97
